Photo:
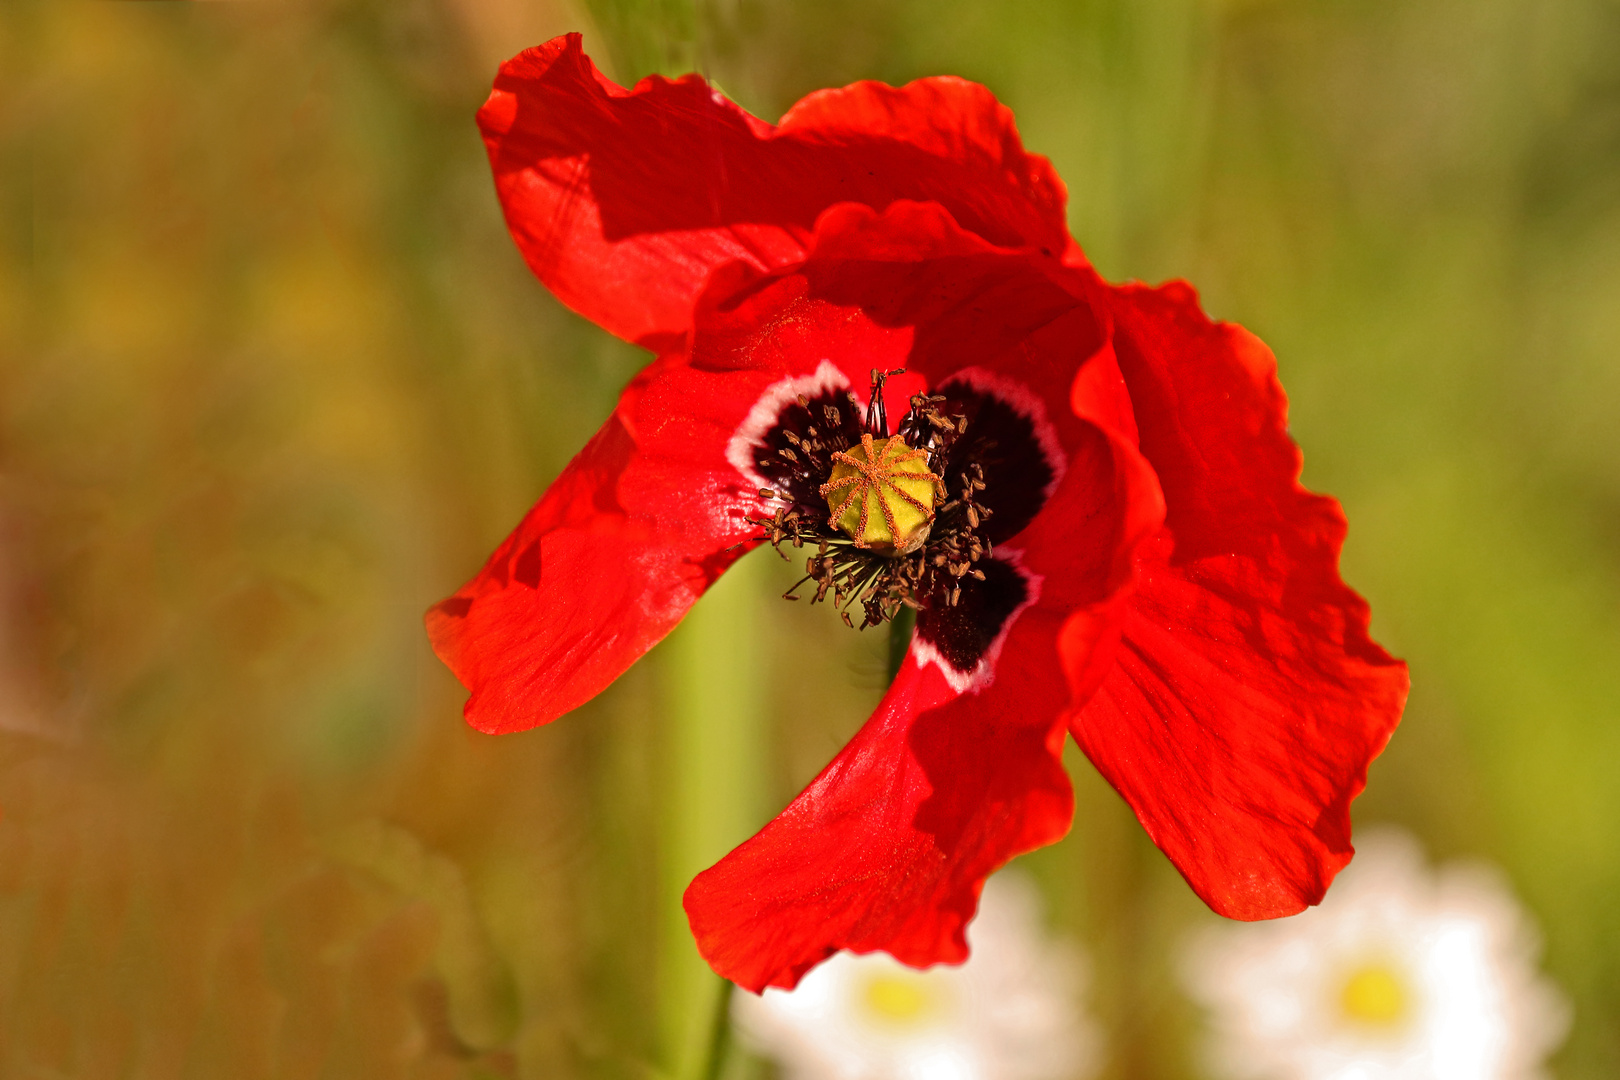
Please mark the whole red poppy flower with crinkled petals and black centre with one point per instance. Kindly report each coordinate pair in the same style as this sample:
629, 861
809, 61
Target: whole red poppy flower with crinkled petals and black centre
880, 351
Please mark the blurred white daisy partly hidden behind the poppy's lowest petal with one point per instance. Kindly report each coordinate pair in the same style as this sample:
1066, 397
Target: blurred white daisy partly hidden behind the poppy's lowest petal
1010, 1013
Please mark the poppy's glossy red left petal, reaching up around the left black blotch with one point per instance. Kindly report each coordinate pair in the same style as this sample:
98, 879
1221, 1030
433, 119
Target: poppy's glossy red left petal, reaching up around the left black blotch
646, 517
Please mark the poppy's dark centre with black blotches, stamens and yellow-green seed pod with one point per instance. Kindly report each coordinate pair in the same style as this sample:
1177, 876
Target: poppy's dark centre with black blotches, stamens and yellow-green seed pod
906, 516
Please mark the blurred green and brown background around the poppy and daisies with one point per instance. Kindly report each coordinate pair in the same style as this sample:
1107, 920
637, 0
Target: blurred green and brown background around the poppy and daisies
273, 380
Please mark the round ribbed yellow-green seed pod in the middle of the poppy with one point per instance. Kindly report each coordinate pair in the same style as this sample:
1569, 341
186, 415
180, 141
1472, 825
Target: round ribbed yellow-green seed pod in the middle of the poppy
882, 495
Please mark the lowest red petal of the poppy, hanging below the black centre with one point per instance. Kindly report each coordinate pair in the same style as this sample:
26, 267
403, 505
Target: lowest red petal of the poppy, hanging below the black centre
890, 846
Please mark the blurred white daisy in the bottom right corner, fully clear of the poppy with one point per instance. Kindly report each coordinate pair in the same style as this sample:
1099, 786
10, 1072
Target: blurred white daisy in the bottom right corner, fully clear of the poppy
1402, 974
